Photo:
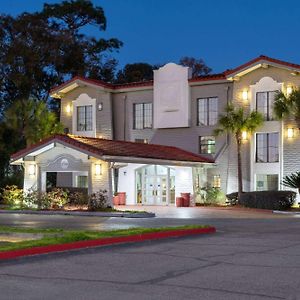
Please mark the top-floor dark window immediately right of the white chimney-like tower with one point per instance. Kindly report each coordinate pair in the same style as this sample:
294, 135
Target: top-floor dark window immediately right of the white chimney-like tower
207, 111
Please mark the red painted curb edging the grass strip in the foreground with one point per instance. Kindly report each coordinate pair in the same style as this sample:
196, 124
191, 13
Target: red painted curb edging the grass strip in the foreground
104, 241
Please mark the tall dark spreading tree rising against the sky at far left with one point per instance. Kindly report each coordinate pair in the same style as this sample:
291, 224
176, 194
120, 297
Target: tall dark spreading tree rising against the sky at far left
40, 50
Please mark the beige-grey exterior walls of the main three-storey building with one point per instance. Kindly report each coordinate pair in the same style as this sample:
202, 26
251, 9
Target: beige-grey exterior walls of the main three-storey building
115, 121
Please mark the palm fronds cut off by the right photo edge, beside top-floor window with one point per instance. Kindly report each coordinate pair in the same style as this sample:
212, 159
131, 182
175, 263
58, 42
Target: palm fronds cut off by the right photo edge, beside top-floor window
288, 106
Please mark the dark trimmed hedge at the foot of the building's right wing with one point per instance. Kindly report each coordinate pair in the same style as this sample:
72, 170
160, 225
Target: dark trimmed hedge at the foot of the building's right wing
274, 200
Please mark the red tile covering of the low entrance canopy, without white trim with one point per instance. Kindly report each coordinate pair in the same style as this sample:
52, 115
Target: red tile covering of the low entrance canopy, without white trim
103, 147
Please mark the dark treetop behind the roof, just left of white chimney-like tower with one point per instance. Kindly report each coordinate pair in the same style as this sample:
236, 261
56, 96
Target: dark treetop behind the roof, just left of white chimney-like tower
135, 72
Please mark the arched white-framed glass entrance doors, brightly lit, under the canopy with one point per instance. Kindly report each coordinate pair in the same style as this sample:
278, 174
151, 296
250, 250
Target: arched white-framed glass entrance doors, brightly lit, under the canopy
155, 185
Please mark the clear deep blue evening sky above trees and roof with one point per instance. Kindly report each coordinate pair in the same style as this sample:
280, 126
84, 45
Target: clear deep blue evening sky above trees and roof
225, 33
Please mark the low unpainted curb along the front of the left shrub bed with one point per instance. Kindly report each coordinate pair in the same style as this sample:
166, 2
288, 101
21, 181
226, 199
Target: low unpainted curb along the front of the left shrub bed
83, 214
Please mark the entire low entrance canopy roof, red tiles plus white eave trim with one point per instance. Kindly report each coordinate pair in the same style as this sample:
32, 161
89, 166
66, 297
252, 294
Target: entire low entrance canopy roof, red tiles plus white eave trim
114, 151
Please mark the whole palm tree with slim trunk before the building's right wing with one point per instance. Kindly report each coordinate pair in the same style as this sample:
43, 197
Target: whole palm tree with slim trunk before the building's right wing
235, 121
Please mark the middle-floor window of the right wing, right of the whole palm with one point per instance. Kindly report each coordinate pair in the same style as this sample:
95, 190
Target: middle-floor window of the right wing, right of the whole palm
267, 147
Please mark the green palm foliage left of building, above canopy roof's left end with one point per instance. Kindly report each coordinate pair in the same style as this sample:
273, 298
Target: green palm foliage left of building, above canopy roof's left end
31, 121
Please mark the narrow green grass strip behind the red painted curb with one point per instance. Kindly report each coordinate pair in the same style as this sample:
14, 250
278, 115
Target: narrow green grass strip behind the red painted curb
52, 236
